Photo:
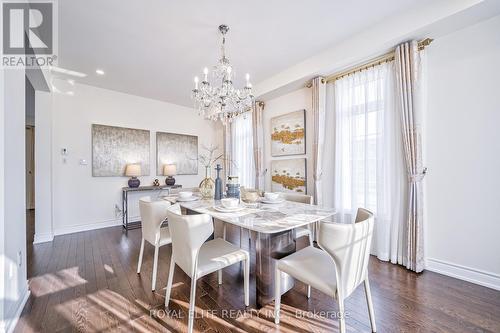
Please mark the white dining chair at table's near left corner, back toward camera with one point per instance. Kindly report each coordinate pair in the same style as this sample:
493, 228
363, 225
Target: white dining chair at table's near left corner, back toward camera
198, 258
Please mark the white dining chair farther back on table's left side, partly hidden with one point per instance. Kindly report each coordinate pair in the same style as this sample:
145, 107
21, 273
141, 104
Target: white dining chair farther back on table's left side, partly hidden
153, 214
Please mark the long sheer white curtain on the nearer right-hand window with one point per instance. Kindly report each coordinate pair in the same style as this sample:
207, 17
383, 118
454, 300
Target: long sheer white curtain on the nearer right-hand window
367, 158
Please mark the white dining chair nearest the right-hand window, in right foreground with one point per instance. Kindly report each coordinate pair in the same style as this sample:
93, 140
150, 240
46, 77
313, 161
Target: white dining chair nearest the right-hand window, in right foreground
339, 269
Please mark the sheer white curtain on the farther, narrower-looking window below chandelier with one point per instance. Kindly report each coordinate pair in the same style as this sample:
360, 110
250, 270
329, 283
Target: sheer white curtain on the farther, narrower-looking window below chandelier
242, 152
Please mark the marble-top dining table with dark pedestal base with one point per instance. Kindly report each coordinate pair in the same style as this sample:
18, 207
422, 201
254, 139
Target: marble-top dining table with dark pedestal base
275, 226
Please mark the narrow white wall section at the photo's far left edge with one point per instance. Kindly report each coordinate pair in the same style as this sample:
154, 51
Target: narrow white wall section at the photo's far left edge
13, 278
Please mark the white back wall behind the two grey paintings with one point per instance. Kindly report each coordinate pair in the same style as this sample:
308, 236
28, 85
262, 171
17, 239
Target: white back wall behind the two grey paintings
81, 201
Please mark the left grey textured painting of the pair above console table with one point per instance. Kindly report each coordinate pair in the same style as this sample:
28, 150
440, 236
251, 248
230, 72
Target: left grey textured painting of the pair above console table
114, 147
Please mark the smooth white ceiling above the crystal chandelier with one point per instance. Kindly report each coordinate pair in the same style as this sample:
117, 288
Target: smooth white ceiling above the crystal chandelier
155, 48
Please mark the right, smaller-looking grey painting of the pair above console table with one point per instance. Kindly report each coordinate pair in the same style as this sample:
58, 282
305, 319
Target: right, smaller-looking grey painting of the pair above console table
178, 149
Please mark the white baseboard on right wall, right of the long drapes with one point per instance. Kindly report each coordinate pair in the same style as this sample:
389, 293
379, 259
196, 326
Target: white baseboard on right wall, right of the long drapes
483, 278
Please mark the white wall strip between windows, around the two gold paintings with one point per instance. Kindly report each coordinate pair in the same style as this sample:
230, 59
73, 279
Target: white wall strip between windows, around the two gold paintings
294, 101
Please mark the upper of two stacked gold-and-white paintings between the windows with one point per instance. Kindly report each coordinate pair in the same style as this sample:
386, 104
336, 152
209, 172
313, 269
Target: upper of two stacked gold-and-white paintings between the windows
288, 134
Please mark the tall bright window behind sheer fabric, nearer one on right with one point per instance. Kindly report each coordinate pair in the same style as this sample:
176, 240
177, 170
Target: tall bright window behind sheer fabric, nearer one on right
366, 160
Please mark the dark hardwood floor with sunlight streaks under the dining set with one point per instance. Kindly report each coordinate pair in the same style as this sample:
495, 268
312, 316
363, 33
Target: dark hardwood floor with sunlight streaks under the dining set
86, 282
